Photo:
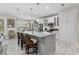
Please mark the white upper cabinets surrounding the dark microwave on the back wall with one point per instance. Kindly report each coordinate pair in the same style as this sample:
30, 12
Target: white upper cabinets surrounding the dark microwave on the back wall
51, 21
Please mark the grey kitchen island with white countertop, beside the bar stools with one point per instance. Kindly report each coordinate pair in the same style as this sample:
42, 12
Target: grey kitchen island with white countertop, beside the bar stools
46, 41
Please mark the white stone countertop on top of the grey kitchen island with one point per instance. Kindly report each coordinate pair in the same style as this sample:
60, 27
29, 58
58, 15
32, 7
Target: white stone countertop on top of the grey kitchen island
38, 34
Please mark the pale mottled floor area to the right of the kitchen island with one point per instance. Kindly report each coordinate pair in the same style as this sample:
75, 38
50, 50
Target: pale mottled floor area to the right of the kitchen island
65, 48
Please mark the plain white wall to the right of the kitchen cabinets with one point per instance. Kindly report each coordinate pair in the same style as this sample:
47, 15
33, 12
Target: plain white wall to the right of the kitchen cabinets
67, 25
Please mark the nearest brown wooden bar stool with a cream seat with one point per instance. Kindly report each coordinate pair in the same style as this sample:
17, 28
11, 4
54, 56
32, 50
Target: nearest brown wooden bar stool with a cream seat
30, 44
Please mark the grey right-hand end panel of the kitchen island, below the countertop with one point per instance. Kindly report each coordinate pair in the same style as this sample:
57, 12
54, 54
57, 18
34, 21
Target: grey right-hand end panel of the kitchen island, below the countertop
50, 44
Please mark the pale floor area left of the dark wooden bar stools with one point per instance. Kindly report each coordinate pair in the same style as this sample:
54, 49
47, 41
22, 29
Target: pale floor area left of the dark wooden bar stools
12, 48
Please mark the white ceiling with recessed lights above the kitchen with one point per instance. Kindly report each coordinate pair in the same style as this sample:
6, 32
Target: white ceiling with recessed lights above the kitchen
23, 10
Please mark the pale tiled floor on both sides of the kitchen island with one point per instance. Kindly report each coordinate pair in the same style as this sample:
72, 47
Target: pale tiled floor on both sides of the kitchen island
62, 48
